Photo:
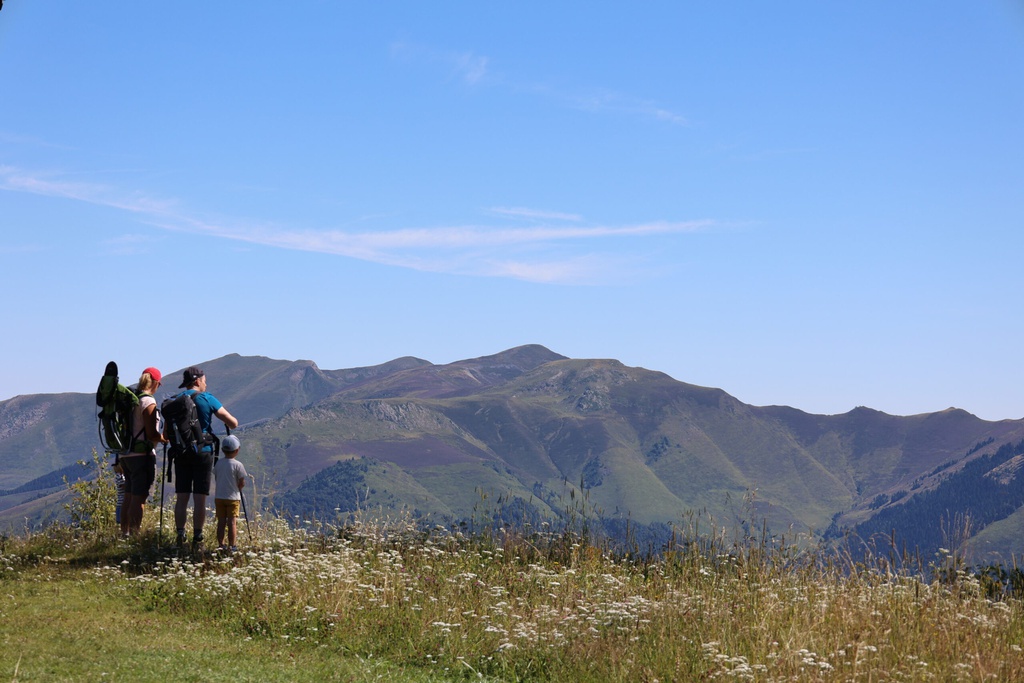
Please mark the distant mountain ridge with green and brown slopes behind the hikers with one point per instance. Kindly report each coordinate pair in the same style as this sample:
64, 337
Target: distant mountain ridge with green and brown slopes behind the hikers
529, 426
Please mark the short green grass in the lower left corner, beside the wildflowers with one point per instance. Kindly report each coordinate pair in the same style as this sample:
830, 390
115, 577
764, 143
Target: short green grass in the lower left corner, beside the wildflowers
75, 625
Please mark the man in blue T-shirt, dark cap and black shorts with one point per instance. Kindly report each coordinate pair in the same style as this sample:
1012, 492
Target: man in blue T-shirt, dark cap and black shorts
192, 475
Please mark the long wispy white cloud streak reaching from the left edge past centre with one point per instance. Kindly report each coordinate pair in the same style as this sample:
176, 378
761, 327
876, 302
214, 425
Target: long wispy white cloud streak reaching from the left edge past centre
546, 252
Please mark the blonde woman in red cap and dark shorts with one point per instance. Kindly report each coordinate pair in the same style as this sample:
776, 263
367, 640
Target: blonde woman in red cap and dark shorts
140, 465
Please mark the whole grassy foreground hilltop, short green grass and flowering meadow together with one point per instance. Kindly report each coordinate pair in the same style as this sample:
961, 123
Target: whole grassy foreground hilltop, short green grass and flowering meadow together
389, 601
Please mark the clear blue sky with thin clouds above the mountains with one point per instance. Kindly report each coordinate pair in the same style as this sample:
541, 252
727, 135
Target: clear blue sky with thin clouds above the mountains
819, 205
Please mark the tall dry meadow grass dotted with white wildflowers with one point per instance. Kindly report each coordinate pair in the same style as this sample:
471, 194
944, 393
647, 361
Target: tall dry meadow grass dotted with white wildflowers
558, 606
